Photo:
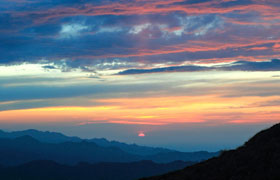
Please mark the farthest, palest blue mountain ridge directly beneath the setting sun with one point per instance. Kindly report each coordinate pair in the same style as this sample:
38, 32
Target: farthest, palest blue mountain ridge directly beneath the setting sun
160, 155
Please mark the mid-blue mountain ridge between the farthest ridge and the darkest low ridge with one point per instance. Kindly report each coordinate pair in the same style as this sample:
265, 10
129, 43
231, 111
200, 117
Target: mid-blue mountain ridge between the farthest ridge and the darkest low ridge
25, 148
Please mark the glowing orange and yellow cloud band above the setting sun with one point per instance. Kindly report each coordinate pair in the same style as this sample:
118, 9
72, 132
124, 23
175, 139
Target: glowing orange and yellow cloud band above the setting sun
154, 111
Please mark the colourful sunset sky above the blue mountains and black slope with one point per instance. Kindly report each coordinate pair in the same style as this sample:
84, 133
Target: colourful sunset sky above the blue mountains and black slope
183, 74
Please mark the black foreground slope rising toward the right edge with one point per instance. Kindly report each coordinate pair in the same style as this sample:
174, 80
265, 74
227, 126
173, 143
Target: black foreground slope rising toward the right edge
257, 159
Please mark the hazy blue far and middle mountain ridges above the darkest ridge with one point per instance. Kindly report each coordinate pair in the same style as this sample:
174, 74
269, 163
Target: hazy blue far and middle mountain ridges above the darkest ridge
24, 146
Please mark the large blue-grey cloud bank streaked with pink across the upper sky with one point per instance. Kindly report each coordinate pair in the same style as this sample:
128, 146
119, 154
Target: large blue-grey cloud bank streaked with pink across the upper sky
96, 33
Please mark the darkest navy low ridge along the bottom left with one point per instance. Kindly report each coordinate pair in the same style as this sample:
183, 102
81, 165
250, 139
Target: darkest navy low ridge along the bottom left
49, 170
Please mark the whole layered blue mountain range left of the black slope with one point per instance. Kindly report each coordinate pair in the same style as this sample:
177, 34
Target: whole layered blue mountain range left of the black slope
33, 155
